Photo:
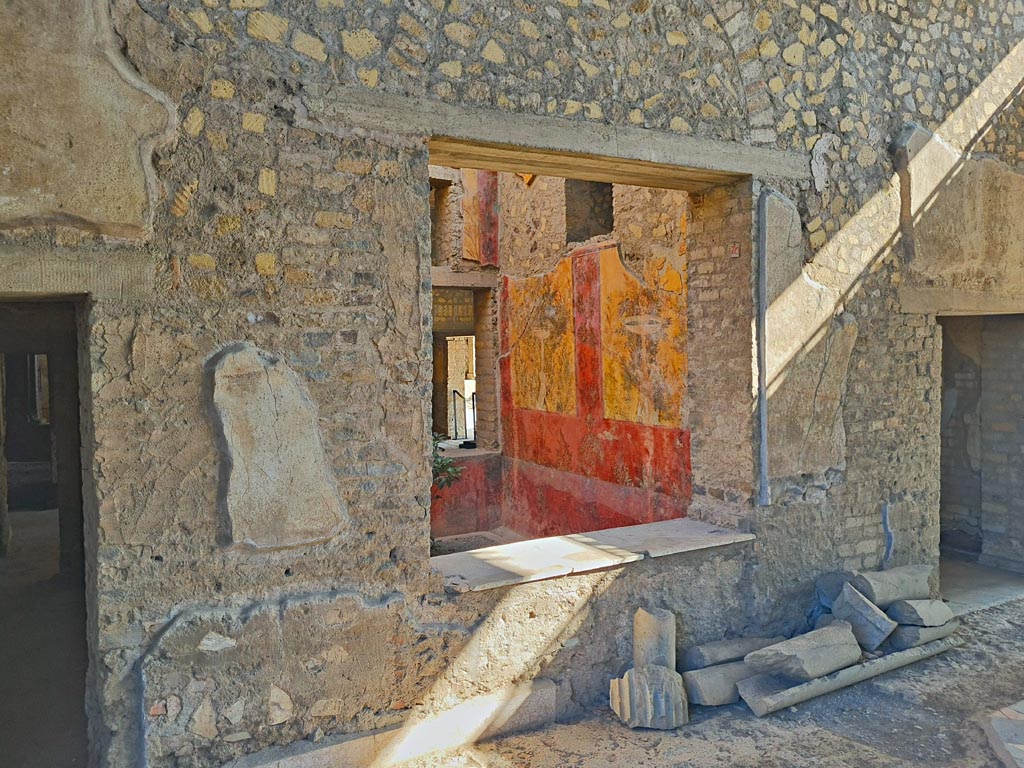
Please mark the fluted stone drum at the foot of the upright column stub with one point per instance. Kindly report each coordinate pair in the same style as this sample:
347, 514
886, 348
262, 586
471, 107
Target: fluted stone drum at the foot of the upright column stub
650, 697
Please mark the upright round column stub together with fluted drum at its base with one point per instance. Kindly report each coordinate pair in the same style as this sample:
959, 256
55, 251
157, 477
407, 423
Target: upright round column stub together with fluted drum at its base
652, 695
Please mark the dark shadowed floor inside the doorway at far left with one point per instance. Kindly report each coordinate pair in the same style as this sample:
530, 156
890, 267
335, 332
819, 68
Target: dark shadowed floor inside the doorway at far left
42, 652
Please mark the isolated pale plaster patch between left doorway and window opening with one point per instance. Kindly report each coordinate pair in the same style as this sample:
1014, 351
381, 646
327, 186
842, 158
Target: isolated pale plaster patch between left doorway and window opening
277, 489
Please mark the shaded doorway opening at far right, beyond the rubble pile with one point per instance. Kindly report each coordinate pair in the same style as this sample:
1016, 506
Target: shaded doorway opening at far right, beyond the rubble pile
982, 508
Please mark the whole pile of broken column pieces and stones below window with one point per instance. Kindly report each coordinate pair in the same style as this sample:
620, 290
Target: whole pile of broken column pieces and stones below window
868, 624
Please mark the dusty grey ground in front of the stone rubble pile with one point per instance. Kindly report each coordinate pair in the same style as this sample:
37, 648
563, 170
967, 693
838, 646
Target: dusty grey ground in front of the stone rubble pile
928, 715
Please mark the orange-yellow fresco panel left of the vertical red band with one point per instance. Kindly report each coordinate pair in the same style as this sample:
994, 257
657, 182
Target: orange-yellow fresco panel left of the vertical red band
543, 343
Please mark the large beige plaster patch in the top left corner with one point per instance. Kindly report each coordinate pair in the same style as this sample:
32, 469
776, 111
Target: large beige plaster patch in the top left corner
80, 155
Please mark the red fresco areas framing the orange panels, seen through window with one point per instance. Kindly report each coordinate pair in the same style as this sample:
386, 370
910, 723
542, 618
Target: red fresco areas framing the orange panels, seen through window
577, 473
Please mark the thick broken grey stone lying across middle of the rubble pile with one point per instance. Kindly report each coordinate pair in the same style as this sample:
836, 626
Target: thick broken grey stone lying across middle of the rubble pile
805, 657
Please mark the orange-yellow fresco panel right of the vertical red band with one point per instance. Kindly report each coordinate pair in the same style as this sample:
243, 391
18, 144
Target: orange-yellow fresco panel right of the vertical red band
644, 342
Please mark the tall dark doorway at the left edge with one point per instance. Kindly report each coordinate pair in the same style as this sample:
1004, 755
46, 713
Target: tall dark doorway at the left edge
42, 584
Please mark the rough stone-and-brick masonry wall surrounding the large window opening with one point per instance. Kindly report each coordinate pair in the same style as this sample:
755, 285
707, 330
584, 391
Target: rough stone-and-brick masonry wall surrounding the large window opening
312, 240
